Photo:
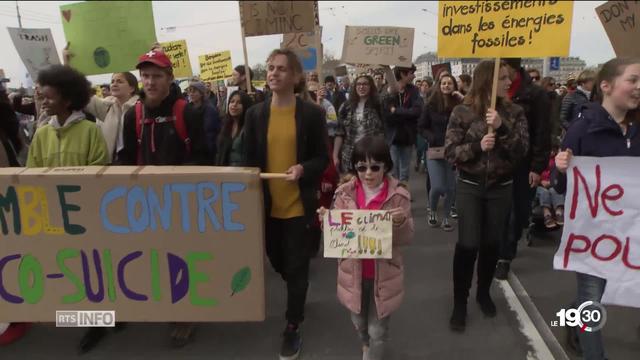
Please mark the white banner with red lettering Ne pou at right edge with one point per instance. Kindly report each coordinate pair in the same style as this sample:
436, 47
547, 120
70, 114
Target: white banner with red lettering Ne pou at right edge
601, 234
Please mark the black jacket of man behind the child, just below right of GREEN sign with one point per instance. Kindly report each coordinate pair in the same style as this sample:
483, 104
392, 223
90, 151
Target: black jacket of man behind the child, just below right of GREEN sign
402, 125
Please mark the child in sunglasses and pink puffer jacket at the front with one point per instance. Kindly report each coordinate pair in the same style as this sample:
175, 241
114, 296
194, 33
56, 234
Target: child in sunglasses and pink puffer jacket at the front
373, 288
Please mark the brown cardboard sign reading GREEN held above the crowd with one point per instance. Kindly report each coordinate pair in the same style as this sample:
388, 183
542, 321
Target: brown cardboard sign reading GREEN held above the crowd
378, 45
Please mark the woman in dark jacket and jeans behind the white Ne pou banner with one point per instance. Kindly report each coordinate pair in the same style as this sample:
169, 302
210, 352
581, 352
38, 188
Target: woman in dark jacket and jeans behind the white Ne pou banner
607, 127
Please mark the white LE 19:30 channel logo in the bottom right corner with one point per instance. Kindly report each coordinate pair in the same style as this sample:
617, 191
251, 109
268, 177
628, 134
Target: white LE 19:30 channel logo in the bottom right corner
590, 316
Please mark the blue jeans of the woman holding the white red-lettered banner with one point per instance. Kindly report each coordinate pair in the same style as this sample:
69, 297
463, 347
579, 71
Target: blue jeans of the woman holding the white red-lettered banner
590, 288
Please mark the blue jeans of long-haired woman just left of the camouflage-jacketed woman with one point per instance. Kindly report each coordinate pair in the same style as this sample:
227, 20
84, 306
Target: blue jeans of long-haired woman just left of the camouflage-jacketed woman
443, 183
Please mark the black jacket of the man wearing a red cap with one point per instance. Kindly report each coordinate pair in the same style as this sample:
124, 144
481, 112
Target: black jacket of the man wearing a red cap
169, 148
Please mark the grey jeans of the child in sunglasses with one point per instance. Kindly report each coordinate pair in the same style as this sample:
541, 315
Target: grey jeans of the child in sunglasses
373, 332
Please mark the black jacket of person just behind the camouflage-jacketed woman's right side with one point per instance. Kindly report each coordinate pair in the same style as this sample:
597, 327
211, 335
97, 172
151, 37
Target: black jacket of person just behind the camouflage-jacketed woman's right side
537, 109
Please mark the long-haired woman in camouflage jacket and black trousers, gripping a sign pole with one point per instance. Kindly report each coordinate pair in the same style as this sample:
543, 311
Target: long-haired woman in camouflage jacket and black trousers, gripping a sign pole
485, 145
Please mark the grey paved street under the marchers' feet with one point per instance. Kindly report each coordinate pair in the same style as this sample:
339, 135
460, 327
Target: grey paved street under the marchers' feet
419, 330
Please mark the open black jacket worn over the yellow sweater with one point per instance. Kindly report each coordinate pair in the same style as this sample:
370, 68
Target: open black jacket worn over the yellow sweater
312, 153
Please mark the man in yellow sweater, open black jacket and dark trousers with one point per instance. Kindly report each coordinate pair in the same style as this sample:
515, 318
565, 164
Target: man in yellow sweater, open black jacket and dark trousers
285, 134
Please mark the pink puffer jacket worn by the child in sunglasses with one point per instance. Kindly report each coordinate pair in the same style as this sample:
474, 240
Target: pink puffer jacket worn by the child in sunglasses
389, 286
